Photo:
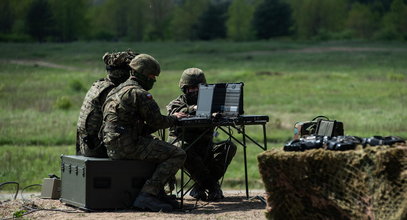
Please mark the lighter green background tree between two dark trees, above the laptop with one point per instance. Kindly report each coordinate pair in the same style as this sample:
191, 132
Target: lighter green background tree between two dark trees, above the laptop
239, 22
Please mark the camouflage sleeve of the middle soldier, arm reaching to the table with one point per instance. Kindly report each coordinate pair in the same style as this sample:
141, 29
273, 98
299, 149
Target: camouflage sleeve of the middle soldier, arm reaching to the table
150, 112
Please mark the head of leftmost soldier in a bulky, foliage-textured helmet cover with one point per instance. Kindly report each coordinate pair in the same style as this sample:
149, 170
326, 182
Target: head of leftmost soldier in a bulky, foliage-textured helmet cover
117, 65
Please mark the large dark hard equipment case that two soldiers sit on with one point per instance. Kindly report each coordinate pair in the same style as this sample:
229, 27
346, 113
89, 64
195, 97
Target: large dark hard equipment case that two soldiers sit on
101, 183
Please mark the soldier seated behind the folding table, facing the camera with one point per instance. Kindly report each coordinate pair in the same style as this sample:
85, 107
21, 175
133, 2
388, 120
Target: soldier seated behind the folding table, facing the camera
206, 162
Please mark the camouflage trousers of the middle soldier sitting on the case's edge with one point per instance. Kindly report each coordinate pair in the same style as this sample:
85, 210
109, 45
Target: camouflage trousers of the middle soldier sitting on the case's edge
169, 158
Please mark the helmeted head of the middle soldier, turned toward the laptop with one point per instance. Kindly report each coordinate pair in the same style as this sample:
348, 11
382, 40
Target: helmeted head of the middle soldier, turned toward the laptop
145, 69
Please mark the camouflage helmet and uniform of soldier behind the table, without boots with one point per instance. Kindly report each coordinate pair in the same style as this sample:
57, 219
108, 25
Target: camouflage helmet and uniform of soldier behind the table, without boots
206, 161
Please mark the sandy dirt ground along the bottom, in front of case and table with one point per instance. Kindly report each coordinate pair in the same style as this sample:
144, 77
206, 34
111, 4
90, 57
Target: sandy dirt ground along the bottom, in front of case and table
234, 206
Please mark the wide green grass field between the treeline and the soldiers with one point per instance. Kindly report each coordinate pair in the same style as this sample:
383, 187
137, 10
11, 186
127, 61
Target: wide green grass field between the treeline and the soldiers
42, 86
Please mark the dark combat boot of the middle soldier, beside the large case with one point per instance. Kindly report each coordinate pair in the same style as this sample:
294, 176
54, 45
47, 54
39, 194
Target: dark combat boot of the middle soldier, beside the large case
146, 201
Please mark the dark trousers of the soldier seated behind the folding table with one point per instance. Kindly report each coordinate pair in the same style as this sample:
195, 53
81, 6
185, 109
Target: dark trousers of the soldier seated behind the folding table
207, 161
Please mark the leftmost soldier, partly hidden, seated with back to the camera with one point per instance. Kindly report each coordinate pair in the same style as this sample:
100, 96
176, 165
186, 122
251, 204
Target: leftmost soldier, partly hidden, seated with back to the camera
90, 116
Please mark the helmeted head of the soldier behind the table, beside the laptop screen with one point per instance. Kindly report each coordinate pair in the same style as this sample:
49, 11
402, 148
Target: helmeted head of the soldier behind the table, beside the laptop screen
189, 83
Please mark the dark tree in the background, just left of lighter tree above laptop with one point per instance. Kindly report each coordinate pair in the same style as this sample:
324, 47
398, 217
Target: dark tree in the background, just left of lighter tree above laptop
211, 24
